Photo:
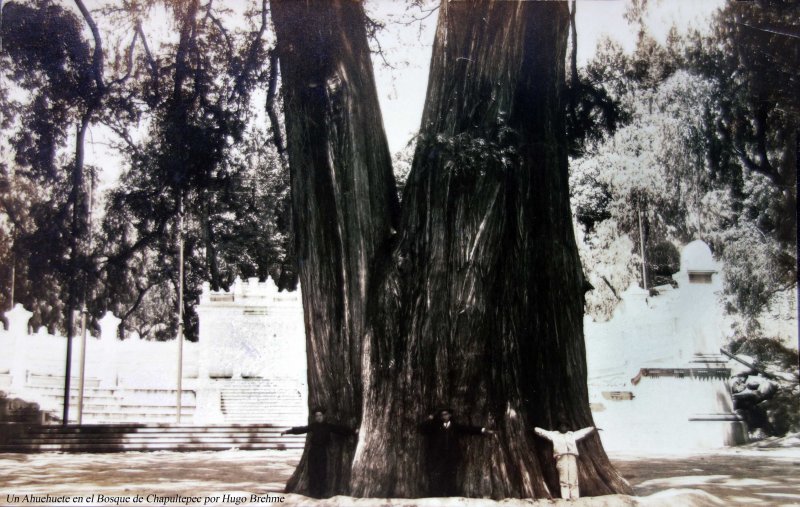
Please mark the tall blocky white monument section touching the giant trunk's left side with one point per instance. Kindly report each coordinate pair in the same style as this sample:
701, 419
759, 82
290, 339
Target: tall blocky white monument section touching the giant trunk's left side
252, 364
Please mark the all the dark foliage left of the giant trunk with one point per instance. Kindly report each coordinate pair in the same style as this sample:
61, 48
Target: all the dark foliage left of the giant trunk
190, 135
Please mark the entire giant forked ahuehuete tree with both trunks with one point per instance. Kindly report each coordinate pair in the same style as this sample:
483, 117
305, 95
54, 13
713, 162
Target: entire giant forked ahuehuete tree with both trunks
472, 294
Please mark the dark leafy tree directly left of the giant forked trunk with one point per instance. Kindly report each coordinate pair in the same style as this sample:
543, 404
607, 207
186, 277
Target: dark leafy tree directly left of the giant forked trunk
203, 152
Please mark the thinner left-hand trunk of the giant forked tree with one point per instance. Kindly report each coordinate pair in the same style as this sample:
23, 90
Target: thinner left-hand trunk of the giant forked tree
344, 200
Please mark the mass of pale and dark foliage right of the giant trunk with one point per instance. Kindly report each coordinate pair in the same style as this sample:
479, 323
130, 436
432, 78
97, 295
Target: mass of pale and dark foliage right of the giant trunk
708, 150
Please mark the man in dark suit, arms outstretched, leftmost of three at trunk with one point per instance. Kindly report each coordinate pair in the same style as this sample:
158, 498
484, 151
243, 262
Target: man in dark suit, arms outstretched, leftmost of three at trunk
319, 439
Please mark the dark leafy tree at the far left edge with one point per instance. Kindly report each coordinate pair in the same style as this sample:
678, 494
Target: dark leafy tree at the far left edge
48, 58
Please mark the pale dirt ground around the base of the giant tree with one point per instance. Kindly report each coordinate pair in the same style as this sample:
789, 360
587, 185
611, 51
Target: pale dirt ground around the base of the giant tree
735, 476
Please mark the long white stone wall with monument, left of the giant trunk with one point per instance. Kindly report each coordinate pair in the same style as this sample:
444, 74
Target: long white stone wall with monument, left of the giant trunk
249, 365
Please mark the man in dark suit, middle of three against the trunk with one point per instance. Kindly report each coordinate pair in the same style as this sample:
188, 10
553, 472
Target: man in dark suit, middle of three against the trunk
444, 451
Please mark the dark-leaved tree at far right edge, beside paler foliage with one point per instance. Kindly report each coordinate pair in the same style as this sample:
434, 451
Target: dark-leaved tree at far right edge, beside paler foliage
752, 140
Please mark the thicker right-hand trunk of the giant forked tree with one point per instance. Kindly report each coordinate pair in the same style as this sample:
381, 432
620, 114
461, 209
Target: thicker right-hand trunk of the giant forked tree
480, 306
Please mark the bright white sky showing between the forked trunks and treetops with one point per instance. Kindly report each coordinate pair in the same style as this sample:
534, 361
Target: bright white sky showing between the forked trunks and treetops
407, 47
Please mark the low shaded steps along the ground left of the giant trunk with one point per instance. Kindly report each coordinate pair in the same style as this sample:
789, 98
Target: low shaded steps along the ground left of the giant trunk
27, 438
